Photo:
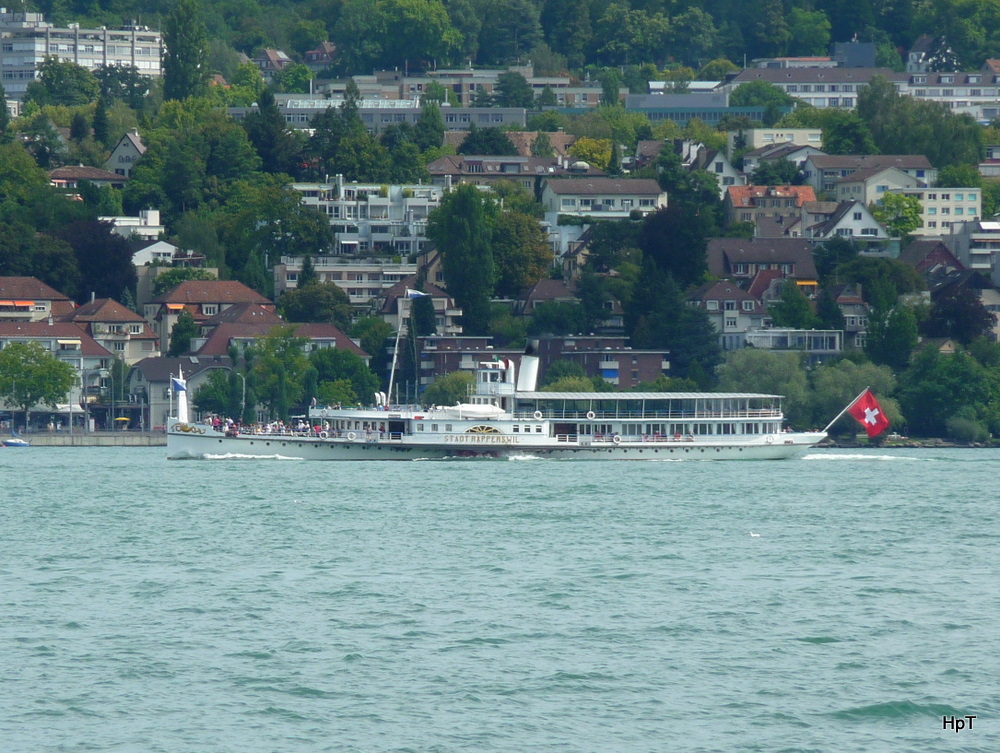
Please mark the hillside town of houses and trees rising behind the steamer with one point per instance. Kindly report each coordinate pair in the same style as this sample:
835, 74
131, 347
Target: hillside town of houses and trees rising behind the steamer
288, 230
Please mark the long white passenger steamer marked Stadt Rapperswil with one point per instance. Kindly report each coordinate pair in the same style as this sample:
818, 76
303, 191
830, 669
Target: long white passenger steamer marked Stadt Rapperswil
507, 417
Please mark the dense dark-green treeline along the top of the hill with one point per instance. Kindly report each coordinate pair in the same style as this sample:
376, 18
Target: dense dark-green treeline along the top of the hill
570, 34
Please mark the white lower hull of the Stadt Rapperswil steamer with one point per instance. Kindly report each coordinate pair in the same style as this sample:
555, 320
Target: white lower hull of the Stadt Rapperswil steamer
199, 441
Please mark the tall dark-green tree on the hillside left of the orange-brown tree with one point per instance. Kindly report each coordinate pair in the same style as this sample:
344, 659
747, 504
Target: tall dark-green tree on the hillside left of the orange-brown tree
462, 227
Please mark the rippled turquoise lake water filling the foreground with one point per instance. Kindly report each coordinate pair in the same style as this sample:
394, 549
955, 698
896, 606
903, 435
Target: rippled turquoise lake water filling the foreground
521, 605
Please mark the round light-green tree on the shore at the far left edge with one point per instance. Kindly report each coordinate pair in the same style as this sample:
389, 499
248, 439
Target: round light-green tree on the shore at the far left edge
30, 375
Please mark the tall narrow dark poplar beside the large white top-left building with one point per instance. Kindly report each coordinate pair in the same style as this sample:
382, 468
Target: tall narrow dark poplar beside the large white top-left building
185, 51
